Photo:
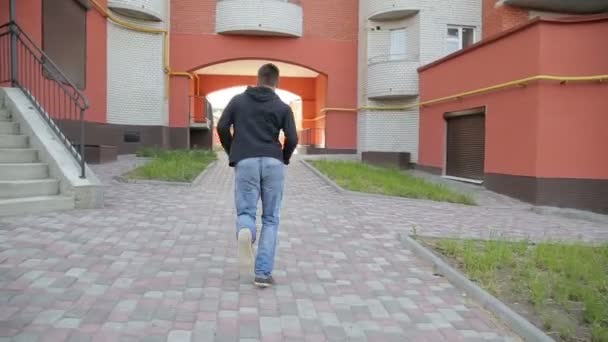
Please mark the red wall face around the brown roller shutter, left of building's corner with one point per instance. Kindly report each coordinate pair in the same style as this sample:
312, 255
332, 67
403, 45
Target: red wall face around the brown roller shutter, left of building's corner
480, 68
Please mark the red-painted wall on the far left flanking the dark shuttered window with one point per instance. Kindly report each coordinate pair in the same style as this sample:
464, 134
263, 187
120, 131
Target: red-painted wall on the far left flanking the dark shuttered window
29, 17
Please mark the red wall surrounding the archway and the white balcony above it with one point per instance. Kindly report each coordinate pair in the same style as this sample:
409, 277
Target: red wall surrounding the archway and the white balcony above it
329, 46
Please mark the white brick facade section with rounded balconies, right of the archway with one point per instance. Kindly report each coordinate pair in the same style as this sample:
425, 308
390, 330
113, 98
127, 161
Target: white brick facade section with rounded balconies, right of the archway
396, 37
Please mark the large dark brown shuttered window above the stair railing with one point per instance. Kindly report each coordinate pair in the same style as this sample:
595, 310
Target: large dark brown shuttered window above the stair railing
64, 37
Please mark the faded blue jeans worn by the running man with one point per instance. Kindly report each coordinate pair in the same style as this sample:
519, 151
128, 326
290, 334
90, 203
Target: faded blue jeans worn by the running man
255, 178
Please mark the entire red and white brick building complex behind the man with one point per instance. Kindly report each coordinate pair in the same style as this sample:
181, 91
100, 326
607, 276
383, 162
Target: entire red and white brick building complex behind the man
360, 70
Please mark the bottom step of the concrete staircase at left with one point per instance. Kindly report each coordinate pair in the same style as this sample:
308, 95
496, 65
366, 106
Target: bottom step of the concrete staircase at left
35, 205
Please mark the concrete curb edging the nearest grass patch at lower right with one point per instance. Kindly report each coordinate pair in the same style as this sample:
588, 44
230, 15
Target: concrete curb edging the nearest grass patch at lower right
517, 323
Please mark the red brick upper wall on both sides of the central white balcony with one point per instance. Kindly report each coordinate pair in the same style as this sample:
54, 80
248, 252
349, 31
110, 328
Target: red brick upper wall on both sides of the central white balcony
325, 19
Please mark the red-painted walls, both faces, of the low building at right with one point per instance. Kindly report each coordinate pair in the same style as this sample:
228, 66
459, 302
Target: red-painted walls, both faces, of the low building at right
541, 130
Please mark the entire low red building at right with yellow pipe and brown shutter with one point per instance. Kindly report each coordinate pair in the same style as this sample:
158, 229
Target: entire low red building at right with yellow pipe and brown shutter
523, 110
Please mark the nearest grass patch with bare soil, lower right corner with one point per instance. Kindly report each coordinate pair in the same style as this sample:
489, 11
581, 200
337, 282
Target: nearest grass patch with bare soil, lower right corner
562, 288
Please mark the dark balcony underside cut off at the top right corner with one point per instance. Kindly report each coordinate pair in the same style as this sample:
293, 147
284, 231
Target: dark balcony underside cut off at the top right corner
562, 6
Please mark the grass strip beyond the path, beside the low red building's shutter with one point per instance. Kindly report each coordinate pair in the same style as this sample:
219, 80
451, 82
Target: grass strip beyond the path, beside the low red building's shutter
361, 177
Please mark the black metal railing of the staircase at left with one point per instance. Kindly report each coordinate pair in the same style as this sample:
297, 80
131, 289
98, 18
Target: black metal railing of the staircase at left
53, 94
